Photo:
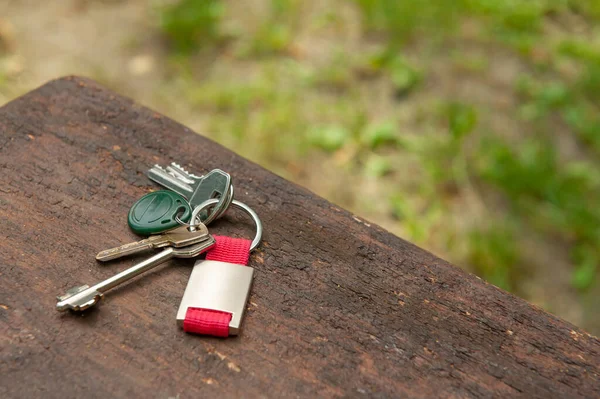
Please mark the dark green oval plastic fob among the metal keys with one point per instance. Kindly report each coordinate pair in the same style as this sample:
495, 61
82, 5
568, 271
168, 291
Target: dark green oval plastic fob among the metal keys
156, 212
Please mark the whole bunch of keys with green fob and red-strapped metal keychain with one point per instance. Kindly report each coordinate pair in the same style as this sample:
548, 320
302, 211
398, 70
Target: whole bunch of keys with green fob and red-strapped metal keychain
216, 287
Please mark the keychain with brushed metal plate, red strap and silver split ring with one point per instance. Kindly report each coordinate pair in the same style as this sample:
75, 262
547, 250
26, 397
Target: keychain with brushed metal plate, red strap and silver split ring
215, 298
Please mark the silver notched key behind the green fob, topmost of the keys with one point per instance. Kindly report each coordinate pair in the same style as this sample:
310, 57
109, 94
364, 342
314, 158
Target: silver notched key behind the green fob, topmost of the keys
215, 184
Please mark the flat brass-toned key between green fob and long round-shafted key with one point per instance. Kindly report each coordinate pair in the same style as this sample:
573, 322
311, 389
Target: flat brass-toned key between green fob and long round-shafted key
179, 237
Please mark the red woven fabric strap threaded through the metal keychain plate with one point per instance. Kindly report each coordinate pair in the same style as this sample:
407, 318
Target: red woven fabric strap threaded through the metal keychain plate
216, 322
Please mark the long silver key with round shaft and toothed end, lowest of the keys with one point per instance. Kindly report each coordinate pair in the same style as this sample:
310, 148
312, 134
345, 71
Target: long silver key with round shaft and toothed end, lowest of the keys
84, 297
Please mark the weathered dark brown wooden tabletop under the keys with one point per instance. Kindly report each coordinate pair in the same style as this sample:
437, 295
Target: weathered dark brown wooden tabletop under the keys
339, 307
